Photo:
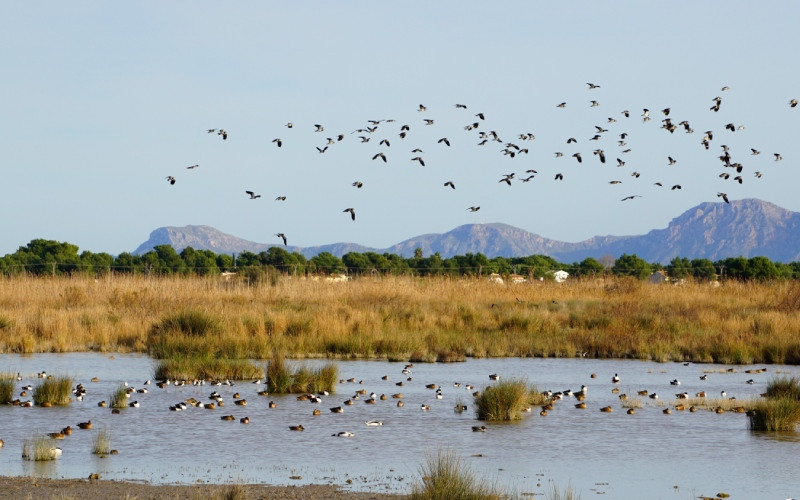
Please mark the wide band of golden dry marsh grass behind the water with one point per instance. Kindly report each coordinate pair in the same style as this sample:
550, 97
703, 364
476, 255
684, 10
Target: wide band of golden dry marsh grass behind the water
402, 318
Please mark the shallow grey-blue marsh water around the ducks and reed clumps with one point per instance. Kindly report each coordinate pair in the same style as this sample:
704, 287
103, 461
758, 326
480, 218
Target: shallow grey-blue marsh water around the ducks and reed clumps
646, 455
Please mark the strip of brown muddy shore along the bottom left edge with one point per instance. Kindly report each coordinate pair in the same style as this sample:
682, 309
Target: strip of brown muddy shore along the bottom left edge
63, 489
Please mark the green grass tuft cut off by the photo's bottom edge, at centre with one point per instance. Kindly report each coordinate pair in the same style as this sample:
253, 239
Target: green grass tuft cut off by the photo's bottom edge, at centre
445, 477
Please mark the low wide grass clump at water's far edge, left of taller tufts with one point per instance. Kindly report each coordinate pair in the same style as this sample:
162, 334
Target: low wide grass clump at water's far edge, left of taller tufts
205, 368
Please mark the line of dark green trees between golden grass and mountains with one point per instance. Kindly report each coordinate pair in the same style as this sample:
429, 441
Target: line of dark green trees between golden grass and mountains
48, 257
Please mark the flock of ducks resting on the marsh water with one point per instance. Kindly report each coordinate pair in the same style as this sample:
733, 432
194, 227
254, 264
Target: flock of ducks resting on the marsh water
303, 411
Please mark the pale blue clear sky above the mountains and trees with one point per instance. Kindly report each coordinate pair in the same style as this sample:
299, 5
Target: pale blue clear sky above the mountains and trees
102, 101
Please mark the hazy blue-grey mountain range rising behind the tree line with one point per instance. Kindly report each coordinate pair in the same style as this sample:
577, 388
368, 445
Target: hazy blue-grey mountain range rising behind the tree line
746, 228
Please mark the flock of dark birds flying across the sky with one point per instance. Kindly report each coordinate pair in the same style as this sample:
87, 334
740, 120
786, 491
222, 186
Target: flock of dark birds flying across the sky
370, 132
